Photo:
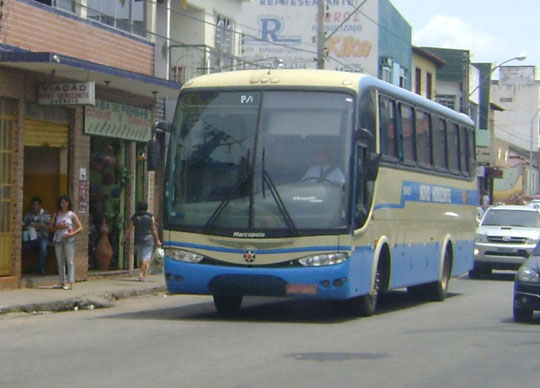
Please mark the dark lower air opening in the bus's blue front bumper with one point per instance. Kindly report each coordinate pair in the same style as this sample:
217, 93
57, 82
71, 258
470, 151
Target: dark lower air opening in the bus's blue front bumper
256, 285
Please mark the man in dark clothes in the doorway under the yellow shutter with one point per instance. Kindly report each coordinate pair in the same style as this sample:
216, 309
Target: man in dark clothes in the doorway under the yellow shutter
36, 223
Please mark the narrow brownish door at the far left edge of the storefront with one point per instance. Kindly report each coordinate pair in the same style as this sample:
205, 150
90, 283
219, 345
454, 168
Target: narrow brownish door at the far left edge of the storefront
6, 185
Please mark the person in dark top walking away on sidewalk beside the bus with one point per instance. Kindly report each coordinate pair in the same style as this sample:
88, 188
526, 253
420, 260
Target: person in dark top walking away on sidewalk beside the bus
146, 236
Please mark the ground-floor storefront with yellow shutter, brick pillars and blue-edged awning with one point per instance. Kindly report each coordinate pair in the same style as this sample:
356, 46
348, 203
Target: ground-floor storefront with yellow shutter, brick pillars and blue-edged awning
64, 145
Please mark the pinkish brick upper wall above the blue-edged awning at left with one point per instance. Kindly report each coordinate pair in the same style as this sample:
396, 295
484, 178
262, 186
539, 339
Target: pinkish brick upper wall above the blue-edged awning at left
36, 27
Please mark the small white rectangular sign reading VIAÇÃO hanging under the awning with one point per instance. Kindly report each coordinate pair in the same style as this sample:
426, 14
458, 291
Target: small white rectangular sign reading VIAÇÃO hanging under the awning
67, 93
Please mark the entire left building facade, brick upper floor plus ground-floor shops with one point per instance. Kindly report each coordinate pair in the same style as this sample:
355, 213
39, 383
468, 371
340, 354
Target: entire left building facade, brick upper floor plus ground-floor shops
77, 98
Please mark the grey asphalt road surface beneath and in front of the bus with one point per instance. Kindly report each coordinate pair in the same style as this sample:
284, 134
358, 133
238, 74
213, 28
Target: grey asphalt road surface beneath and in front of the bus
469, 340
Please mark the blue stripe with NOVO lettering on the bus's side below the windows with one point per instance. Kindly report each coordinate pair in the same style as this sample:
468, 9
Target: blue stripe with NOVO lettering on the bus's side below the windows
427, 193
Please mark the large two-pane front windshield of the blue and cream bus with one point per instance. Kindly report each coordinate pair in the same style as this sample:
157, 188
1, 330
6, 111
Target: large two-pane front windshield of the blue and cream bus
273, 162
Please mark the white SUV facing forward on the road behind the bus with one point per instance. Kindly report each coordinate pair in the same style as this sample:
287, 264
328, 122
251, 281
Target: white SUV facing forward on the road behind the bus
505, 237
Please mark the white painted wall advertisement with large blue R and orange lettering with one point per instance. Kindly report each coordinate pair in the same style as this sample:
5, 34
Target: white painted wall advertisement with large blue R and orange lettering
285, 31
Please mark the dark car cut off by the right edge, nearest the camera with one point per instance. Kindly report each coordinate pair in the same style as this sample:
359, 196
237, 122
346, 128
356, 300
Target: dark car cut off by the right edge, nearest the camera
527, 288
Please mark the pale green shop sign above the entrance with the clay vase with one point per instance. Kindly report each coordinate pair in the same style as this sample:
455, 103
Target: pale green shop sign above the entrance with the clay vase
120, 121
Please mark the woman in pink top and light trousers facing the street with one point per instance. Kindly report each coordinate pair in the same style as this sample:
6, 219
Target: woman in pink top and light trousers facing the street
65, 225
